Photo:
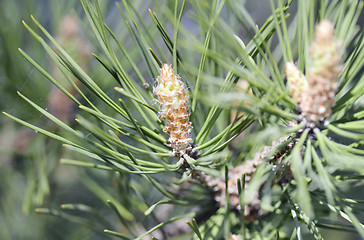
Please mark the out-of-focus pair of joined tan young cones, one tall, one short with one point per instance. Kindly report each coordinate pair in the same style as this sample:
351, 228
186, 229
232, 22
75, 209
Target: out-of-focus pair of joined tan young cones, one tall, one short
316, 95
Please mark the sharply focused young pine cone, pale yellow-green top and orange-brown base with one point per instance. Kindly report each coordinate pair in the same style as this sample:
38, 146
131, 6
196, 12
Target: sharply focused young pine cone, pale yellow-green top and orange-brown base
172, 98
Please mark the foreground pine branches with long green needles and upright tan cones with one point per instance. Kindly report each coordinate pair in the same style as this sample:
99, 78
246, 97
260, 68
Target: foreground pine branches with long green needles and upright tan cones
182, 139
